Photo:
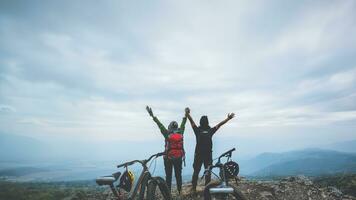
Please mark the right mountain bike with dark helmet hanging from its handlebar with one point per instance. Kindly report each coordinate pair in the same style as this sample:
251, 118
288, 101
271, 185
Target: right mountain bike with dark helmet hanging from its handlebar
222, 189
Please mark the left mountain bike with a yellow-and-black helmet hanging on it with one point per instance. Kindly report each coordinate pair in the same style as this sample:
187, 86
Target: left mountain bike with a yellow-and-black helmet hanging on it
145, 181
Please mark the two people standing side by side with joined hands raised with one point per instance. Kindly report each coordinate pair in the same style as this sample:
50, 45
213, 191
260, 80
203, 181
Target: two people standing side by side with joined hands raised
175, 154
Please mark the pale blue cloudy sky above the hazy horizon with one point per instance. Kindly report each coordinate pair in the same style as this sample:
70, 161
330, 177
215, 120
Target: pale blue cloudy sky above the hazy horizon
86, 69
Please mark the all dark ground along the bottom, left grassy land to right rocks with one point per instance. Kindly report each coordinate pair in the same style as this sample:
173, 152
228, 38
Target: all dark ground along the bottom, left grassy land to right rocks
291, 188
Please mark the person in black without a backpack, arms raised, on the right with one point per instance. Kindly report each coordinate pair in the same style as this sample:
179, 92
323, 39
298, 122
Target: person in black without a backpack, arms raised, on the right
204, 145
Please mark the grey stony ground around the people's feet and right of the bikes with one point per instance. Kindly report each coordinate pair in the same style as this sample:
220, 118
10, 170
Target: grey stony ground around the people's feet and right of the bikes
291, 188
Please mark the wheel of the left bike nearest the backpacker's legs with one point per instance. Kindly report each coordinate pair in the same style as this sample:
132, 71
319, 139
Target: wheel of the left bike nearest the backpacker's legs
162, 185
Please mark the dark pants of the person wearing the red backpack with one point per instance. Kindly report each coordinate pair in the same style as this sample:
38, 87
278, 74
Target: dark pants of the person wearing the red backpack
169, 164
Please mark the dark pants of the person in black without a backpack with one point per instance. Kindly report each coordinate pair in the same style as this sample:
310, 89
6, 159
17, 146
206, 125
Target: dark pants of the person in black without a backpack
198, 161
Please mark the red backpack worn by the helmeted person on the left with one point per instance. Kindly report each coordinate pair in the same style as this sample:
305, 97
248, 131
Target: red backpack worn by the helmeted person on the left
174, 146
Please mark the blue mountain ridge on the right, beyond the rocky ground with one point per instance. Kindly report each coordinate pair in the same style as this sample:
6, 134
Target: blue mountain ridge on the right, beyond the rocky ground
311, 162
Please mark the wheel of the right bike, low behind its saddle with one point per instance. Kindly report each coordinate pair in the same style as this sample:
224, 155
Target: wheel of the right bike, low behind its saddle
237, 194
